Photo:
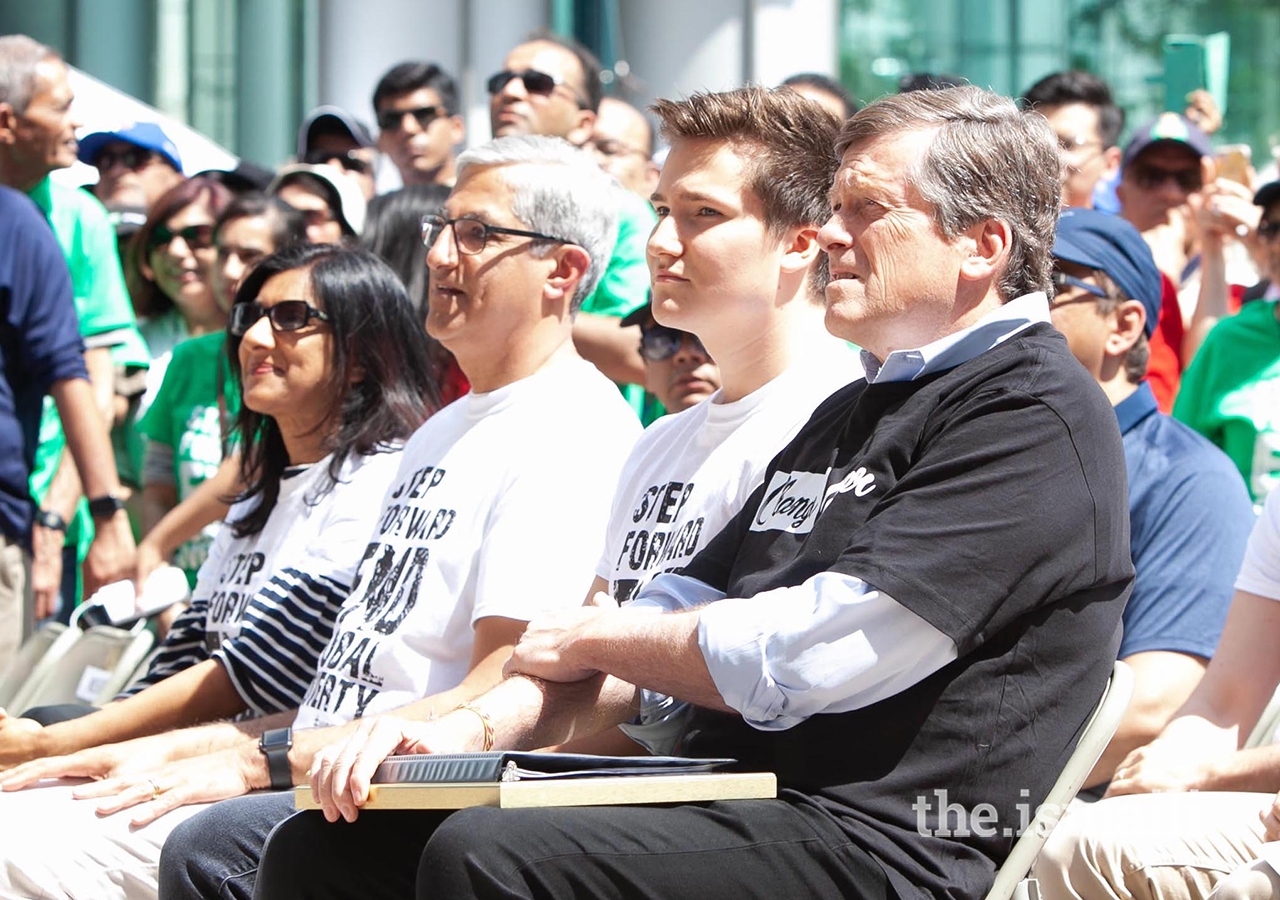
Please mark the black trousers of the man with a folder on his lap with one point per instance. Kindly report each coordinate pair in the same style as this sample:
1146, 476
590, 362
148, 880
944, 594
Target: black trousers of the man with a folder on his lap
743, 849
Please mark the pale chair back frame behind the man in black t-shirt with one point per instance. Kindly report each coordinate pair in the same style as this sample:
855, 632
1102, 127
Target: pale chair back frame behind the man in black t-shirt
1012, 879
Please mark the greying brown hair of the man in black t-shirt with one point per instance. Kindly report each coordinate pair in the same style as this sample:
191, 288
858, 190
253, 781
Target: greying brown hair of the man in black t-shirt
988, 161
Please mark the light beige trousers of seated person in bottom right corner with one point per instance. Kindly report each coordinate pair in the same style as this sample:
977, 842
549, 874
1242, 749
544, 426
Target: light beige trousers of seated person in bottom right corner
1151, 847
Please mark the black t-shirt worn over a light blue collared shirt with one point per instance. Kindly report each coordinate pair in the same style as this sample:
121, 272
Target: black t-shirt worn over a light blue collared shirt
991, 501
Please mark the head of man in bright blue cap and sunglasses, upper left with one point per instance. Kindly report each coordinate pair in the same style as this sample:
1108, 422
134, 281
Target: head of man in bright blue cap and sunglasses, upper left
135, 166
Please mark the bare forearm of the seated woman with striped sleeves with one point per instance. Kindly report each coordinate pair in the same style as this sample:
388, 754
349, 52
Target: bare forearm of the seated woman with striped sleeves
196, 696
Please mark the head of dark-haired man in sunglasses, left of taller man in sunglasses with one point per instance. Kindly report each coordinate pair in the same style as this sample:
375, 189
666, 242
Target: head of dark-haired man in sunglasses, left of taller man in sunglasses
419, 125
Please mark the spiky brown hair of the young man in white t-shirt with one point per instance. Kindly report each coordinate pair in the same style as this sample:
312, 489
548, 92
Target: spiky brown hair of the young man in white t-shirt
792, 165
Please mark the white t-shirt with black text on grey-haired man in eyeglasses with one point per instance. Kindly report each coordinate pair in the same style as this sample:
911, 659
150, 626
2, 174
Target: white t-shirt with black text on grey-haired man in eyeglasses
499, 510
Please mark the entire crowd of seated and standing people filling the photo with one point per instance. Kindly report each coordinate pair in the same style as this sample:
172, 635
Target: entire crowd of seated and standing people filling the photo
851, 442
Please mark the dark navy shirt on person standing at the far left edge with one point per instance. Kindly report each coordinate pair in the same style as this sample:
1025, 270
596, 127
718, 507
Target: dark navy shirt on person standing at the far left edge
40, 344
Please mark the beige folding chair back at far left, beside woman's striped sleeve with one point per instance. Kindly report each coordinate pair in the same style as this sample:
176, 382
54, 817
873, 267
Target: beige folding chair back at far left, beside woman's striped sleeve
93, 670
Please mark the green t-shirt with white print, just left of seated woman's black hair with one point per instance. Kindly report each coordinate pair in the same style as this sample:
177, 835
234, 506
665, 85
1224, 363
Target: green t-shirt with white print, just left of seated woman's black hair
188, 417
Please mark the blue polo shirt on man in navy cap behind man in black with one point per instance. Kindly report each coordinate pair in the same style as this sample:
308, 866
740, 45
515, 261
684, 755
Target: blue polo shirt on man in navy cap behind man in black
1190, 519
